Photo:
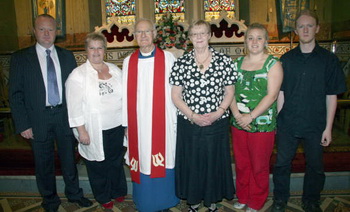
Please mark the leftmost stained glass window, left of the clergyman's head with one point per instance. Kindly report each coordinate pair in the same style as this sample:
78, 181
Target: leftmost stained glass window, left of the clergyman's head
124, 9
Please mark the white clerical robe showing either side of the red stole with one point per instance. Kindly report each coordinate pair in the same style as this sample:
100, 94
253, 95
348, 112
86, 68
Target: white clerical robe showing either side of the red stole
144, 112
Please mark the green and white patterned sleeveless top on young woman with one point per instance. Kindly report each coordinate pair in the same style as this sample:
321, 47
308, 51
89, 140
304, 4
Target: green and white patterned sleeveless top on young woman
250, 89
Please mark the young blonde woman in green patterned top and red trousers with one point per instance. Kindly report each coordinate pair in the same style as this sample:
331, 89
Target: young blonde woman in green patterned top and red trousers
254, 112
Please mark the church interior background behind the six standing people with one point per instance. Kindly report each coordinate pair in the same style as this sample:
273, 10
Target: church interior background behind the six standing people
115, 19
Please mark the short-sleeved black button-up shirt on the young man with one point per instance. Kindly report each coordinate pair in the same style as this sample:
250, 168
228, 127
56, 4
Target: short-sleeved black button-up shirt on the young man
308, 79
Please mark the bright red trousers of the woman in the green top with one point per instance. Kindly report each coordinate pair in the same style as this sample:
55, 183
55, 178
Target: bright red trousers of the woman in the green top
252, 152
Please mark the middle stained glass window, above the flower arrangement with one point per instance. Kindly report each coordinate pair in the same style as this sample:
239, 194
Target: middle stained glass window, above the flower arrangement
176, 7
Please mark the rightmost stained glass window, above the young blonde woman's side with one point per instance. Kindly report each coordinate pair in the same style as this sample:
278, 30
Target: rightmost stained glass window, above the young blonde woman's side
213, 8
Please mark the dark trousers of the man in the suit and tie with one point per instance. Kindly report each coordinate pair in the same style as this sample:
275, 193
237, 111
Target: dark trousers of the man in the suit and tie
44, 156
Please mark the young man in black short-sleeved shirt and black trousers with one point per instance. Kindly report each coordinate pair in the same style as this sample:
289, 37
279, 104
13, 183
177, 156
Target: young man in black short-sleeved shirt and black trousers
307, 102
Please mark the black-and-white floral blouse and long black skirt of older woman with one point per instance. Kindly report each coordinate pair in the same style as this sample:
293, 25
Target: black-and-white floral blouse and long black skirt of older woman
203, 160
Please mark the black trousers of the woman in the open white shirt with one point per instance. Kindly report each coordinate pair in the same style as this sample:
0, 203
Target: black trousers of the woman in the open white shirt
107, 178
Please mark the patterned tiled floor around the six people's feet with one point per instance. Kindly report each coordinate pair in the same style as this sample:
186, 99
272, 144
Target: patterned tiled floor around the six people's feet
335, 201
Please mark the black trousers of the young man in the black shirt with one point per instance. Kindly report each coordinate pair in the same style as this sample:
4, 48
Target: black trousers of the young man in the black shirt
314, 178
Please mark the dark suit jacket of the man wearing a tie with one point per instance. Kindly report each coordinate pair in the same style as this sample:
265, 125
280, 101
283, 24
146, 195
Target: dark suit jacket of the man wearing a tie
27, 93
